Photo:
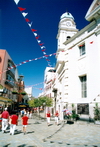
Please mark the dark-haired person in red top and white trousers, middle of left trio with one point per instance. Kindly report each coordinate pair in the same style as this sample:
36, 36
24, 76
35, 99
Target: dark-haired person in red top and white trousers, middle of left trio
13, 122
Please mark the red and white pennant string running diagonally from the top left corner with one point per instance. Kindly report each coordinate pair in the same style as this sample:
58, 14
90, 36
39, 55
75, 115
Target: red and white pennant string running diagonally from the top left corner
34, 31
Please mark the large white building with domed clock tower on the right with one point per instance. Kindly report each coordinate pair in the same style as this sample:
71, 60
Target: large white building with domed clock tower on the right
78, 64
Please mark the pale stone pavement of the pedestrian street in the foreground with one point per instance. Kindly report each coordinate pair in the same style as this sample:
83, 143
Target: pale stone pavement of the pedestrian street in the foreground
79, 134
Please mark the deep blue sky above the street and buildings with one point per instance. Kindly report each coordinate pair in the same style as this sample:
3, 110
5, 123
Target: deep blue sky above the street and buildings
19, 41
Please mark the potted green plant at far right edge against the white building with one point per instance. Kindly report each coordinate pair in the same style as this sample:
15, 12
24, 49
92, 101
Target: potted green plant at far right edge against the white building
97, 114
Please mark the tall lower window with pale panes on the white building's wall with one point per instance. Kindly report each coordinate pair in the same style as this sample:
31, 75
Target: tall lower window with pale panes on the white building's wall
83, 86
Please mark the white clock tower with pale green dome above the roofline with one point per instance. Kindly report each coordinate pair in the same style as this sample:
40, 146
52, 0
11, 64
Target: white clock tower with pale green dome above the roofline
66, 29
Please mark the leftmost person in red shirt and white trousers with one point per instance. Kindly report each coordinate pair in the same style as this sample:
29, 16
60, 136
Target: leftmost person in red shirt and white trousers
5, 118
